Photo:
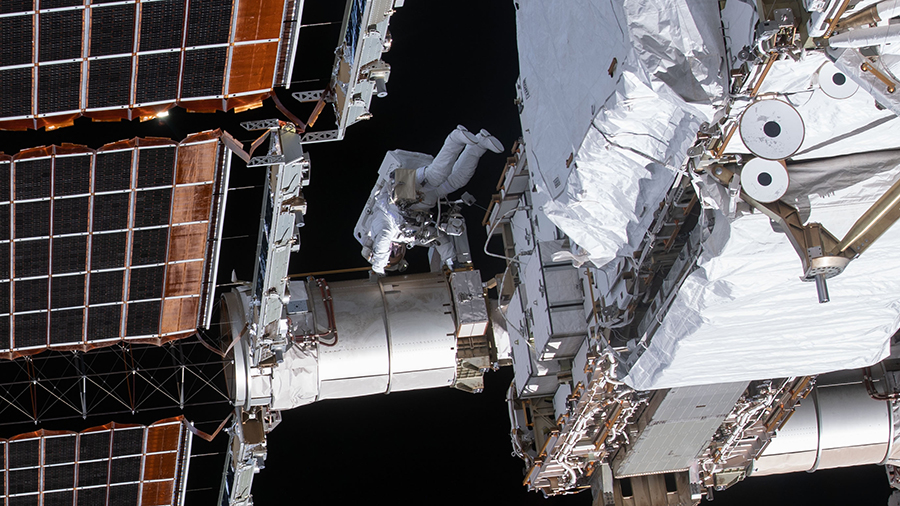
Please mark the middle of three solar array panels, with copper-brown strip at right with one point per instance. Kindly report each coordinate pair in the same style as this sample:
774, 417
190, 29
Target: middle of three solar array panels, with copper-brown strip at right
102, 246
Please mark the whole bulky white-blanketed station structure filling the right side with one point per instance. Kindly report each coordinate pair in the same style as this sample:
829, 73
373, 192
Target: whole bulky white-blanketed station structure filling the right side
699, 244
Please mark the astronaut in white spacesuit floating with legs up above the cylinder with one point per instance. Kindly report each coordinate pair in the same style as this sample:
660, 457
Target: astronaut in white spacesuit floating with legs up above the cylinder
395, 225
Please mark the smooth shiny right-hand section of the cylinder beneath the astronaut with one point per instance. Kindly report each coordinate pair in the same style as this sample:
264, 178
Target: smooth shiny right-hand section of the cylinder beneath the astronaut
396, 333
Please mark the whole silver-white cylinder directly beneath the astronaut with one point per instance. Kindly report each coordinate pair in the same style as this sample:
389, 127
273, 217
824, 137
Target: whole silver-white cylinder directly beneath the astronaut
393, 334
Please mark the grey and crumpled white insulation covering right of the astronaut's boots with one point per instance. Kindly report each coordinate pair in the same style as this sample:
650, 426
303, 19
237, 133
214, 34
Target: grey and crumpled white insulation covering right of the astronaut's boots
613, 94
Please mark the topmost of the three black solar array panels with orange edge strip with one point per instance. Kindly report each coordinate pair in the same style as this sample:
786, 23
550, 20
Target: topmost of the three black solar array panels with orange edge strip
60, 59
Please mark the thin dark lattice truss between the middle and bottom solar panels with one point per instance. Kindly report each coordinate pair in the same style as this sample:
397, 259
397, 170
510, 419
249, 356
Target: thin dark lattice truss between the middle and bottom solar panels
124, 379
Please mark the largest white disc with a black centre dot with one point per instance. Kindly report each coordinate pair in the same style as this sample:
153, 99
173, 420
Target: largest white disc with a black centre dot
772, 129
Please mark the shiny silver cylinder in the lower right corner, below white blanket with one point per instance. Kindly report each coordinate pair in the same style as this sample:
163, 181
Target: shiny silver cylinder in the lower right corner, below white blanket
837, 425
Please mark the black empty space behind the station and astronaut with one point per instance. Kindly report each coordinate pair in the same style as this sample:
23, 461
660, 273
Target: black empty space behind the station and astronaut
452, 63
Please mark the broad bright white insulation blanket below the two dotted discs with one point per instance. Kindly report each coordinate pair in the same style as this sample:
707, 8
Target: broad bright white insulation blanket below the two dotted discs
743, 313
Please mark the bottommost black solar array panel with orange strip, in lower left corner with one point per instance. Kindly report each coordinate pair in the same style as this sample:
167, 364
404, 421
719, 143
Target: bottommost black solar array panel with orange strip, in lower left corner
109, 465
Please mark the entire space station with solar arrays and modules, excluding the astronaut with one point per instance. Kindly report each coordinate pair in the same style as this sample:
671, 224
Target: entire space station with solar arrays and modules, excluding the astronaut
672, 222
